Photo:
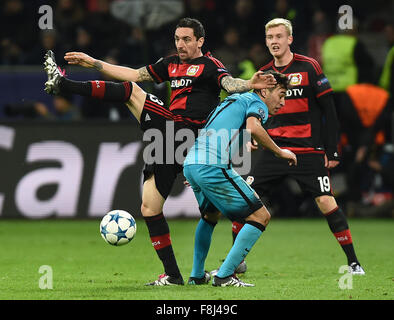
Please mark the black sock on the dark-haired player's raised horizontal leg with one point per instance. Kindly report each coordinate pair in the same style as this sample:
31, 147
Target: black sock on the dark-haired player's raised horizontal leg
105, 90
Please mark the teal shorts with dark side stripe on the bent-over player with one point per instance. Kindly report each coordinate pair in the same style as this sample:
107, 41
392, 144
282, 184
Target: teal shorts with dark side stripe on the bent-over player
220, 189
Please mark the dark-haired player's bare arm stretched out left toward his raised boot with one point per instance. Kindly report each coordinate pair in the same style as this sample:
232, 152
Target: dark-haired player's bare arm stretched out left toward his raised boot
111, 70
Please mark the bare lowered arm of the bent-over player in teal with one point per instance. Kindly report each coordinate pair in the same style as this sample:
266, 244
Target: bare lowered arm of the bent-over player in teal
262, 137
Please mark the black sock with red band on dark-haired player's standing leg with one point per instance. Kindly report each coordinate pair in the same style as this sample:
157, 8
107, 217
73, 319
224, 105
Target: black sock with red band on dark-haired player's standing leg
159, 233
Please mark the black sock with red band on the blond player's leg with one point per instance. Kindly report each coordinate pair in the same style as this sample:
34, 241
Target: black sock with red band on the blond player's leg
339, 227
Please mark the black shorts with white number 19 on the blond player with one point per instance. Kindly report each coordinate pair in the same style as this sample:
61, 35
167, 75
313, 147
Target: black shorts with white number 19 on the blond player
310, 174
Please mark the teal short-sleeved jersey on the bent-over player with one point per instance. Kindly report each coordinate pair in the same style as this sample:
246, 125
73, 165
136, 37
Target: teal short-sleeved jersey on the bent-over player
223, 134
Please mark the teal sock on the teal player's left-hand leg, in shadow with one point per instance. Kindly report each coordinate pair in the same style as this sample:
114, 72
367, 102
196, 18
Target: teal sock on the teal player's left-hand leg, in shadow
202, 242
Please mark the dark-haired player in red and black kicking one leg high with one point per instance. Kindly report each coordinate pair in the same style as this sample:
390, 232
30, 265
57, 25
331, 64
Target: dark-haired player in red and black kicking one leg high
196, 80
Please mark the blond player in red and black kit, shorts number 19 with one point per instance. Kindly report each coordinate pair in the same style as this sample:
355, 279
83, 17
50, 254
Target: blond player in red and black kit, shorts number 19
308, 126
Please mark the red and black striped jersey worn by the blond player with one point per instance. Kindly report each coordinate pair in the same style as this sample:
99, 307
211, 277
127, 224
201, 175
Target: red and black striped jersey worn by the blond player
298, 124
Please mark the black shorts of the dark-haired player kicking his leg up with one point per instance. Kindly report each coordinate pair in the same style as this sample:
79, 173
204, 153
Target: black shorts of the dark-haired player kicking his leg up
165, 164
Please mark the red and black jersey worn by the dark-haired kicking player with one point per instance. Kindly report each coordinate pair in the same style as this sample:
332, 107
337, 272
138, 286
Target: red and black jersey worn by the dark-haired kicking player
195, 85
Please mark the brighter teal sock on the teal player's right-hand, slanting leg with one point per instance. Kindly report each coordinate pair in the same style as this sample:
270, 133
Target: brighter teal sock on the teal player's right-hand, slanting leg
244, 242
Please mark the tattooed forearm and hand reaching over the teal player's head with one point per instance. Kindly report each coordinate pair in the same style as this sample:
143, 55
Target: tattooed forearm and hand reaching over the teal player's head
258, 81
